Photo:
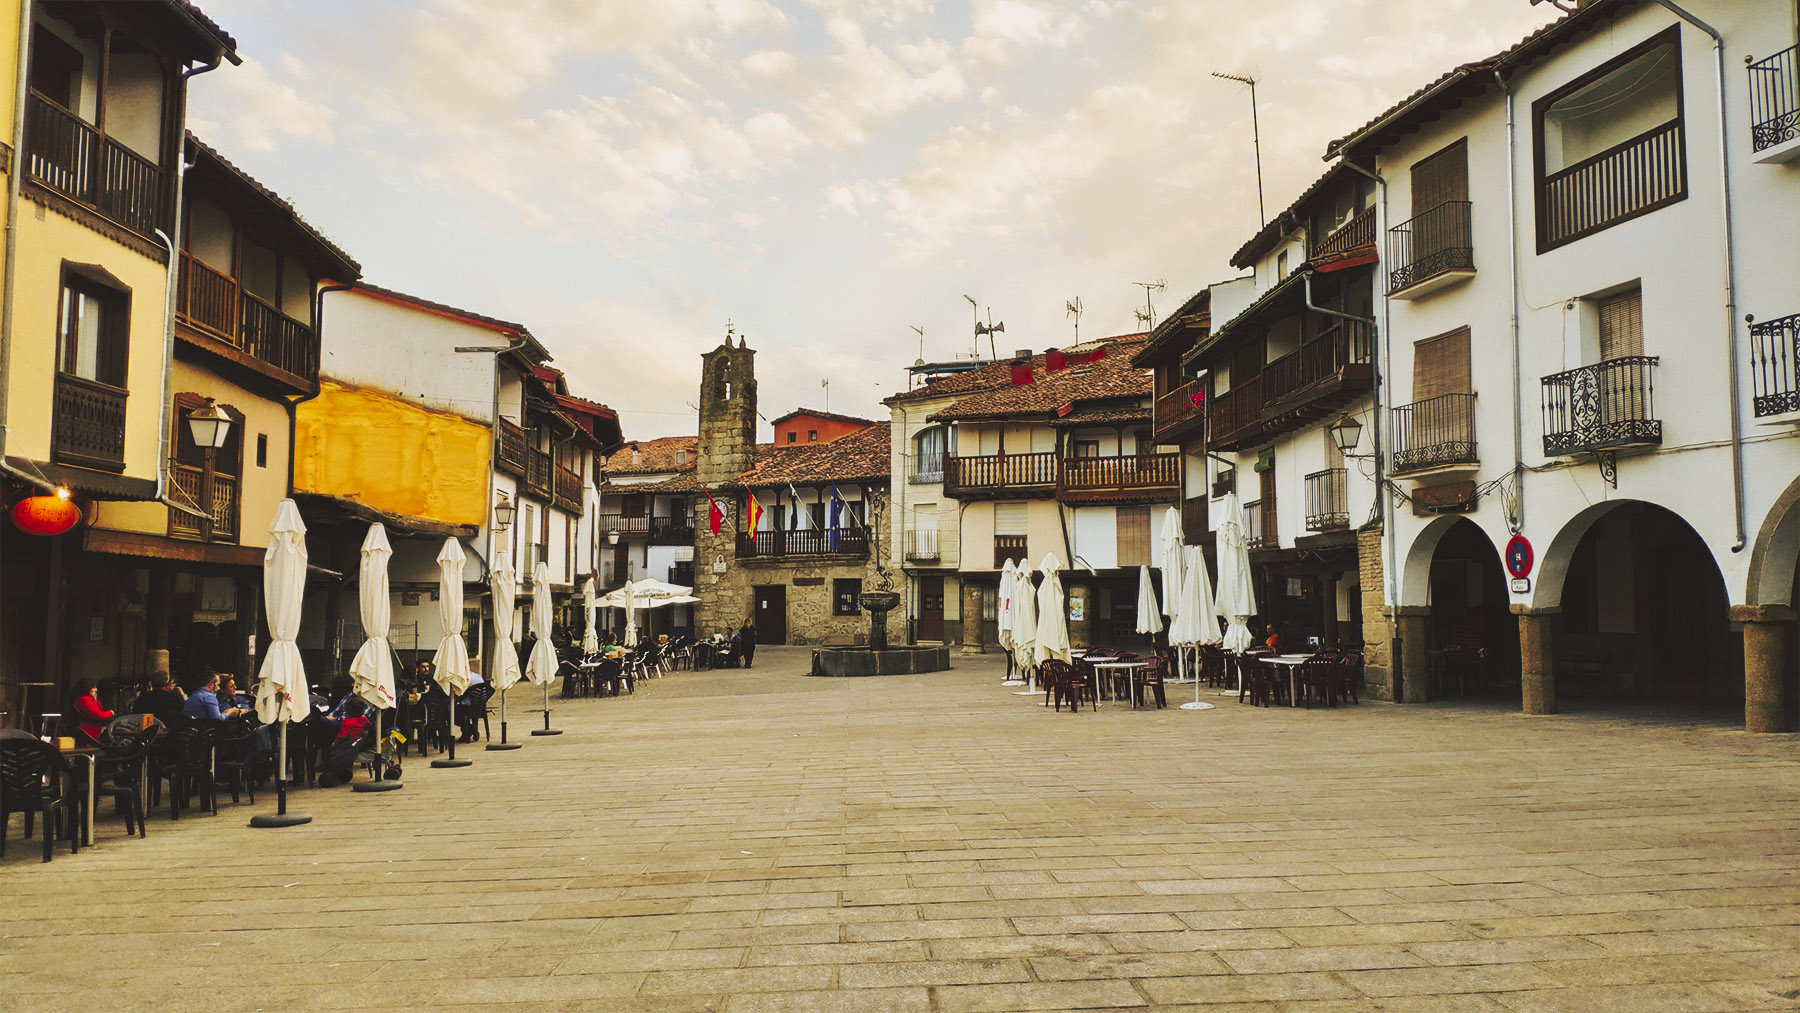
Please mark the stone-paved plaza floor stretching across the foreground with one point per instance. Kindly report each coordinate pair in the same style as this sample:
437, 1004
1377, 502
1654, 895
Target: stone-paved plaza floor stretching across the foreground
742, 843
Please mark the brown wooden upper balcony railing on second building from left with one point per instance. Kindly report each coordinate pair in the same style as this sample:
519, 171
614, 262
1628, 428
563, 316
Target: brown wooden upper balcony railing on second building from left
215, 305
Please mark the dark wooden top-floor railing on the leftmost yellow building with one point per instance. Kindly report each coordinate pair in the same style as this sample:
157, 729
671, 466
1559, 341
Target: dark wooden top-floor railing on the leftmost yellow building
78, 161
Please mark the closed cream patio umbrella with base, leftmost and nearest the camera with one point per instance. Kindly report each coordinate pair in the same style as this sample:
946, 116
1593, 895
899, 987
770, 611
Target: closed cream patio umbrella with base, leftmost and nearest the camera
282, 692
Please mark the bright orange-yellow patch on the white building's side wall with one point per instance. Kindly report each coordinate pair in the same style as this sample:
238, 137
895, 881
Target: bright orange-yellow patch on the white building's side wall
391, 454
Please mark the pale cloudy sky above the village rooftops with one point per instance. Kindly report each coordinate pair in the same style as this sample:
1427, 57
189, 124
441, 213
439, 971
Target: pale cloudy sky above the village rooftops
627, 177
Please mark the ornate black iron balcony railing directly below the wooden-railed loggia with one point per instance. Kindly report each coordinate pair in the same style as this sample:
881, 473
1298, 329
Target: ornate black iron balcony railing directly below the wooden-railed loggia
1601, 408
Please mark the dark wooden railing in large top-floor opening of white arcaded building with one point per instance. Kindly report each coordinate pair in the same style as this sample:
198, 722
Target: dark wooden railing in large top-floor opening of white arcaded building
1614, 186
